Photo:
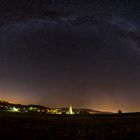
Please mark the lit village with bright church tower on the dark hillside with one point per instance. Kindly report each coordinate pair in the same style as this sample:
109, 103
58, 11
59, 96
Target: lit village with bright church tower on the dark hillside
11, 107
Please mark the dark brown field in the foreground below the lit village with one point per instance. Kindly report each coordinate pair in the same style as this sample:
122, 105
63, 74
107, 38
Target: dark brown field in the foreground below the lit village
57, 127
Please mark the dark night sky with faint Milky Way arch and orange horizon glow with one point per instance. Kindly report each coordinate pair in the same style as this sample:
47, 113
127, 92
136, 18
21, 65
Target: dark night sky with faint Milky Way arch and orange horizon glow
80, 52
